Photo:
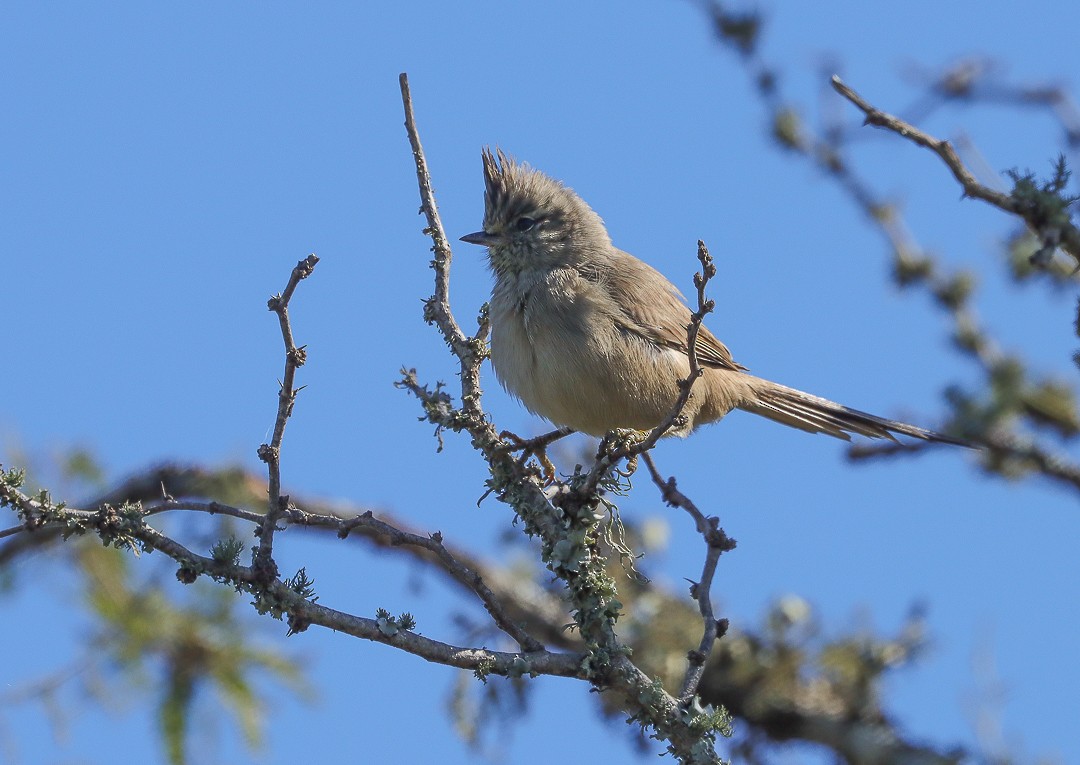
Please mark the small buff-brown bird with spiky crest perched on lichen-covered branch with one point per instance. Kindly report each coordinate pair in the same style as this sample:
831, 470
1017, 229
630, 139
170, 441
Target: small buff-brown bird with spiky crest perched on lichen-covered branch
592, 339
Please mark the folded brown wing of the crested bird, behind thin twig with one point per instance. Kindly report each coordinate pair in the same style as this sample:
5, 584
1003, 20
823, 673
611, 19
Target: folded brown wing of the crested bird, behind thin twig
661, 315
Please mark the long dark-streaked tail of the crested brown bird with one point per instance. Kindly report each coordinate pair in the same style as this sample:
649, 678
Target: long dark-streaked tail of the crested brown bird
817, 415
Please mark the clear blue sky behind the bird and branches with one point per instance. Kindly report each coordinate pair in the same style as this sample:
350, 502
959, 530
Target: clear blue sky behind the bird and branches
164, 167
